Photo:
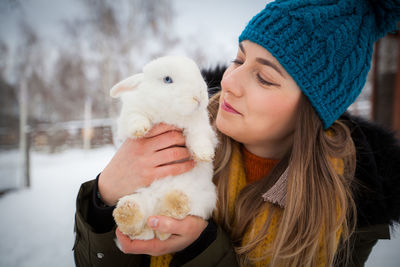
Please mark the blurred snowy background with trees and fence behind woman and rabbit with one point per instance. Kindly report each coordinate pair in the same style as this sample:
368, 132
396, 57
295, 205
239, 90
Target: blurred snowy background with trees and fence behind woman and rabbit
58, 60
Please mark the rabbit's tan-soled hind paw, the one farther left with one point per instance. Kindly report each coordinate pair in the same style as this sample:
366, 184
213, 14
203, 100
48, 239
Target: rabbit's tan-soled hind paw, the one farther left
129, 217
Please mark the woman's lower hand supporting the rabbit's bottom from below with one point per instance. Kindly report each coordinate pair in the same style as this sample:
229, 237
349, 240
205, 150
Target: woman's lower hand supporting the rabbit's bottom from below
184, 232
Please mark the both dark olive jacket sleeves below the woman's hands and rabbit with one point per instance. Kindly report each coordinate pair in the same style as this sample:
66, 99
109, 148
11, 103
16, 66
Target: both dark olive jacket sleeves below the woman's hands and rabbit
93, 249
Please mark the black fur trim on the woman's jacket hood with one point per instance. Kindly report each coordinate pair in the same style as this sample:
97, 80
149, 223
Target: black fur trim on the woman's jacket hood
377, 183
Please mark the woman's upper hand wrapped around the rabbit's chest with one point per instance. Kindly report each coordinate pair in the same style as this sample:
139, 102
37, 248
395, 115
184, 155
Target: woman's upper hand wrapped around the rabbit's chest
138, 162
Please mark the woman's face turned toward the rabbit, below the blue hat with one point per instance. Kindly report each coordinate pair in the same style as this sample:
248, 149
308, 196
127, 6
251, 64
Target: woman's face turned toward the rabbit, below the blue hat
259, 101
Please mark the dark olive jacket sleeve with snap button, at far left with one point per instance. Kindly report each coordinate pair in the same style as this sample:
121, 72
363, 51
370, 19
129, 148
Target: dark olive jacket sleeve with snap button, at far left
92, 248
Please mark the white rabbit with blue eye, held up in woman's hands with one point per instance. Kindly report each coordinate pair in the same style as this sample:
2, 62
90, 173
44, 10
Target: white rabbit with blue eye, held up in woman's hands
170, 90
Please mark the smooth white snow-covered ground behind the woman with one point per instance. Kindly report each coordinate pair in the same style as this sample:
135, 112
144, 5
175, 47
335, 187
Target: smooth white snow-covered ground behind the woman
37, 223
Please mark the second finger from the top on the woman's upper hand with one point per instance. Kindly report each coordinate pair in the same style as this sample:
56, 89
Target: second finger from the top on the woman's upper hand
166, 139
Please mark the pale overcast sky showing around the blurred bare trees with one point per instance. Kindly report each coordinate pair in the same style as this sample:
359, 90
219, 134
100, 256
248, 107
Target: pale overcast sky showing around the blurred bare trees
220, 21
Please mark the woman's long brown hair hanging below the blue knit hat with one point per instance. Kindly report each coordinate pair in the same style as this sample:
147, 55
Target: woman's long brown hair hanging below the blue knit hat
319, 203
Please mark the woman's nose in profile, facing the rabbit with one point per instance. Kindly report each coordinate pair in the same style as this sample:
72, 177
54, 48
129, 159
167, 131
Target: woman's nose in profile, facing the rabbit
233, 80
